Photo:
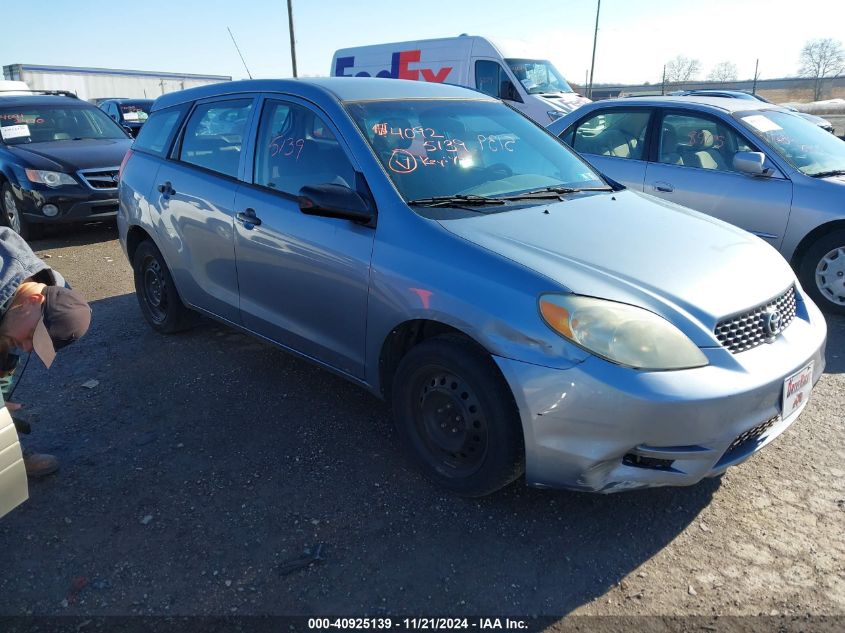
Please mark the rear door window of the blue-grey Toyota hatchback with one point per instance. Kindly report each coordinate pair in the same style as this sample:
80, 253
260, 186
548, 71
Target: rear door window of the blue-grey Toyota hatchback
214, 135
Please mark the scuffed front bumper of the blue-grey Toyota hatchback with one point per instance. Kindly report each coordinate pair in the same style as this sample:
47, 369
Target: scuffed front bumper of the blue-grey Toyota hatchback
600, 427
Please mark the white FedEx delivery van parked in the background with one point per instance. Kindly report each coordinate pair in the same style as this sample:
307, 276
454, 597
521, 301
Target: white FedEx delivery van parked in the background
505, 70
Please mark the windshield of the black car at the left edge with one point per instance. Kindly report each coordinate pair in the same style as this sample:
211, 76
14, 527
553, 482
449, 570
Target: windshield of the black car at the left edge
42, 124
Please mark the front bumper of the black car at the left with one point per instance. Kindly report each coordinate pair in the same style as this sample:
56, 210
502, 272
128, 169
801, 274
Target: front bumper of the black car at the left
75, 204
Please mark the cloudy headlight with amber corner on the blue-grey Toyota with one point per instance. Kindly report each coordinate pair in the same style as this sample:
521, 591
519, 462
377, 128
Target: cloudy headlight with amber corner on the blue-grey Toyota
620, 333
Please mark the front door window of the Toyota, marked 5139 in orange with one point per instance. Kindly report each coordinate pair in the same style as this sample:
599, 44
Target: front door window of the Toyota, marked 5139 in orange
296, 148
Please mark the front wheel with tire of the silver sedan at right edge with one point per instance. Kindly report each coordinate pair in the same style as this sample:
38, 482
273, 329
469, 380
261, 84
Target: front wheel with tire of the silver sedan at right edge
822, 272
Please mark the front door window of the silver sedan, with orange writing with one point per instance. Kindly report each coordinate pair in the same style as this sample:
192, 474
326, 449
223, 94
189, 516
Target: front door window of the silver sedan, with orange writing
694, 141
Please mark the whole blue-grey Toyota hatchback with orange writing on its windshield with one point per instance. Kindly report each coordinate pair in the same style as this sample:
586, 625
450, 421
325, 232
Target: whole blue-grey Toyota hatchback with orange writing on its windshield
436, 247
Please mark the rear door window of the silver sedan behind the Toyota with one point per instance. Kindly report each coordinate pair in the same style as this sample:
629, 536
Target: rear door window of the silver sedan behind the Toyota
617, 133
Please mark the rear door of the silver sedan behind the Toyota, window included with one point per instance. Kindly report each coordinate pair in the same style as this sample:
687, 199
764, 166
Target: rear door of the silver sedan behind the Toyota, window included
615, 141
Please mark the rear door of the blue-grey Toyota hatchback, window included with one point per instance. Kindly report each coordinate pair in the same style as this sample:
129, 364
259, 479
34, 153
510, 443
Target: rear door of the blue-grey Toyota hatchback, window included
194, 196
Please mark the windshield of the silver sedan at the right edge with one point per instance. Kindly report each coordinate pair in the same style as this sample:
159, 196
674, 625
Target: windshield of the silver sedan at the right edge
802, 144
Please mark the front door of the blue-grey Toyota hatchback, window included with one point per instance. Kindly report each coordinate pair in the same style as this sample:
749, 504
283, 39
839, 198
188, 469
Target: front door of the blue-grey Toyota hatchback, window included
303, 279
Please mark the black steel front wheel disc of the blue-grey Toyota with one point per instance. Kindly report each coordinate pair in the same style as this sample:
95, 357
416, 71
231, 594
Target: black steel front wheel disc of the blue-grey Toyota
450, 423
